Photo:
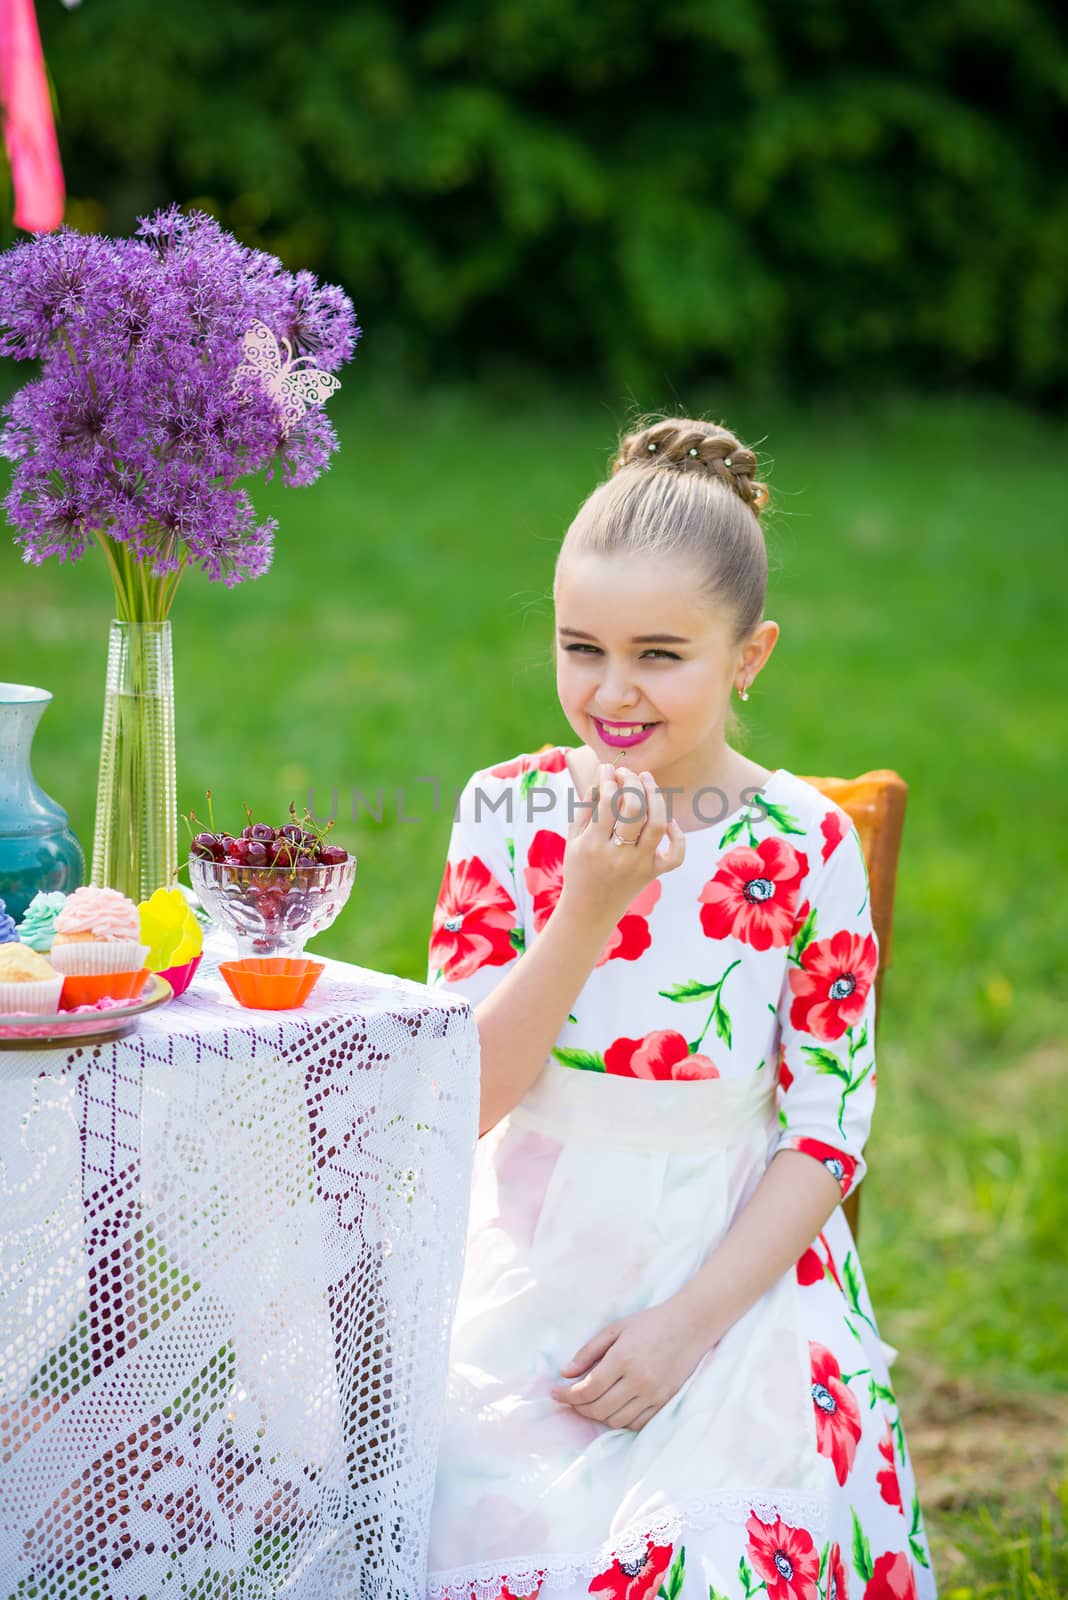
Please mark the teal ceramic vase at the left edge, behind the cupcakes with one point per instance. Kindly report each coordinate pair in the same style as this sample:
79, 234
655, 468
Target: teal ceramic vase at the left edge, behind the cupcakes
38, 849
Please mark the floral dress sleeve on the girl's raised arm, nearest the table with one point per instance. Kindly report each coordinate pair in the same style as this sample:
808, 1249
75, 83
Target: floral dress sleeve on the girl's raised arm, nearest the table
477, 932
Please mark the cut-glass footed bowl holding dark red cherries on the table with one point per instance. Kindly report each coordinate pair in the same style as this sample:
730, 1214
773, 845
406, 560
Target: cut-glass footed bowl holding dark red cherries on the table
271, 911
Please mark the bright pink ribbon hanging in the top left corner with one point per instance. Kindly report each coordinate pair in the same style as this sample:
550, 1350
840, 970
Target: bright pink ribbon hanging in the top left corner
30, 130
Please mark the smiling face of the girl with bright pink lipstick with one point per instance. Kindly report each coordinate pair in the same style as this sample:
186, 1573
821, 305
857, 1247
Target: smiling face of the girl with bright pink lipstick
639, 650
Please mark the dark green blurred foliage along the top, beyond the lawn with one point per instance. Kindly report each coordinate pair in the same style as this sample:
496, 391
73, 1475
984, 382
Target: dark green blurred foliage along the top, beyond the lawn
807, 193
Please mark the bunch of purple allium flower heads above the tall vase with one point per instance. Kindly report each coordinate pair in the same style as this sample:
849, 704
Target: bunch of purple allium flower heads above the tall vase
135, 430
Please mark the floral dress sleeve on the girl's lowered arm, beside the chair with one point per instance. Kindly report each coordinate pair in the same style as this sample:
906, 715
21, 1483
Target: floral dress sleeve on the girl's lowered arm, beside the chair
827, 1015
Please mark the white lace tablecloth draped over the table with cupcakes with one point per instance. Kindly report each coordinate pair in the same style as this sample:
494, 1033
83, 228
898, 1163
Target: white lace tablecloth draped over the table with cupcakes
231, 1247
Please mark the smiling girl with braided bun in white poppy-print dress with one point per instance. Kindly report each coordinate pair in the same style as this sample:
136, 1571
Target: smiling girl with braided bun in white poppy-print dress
666, 1372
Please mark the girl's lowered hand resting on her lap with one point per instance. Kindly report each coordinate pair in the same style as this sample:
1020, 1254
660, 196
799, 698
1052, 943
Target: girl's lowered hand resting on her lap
634, 1367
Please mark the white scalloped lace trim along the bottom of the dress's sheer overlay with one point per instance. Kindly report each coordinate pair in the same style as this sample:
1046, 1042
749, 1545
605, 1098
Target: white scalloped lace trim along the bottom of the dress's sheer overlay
524, 1575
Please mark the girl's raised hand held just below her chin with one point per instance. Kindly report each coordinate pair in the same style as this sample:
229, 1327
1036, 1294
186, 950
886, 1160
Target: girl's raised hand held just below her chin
600, 878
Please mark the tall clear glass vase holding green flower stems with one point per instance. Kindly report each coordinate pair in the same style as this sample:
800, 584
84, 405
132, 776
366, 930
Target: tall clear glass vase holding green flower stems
135, 846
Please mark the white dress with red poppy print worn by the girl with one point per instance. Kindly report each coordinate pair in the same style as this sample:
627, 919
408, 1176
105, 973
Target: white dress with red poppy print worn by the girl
730, 1017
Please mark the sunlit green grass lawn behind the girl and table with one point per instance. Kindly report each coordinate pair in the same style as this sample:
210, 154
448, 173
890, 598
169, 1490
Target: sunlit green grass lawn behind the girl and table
920, 567
